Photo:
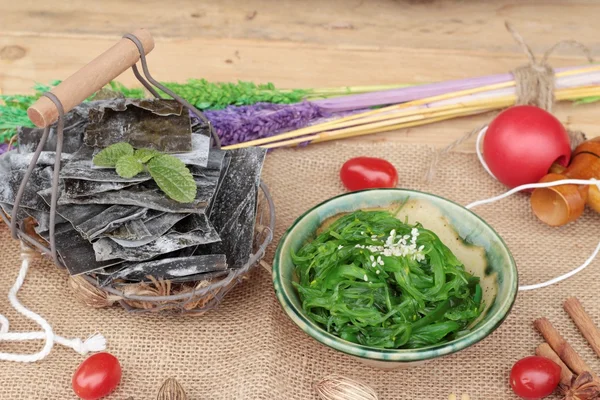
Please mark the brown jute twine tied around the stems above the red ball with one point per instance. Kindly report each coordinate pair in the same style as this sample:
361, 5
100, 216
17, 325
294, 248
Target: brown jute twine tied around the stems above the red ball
534, 84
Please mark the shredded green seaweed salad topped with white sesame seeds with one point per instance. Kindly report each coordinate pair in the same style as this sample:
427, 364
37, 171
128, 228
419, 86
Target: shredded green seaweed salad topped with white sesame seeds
372, 279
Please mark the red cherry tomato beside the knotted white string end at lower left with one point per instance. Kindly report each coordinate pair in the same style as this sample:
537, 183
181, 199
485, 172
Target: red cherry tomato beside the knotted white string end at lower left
97, 376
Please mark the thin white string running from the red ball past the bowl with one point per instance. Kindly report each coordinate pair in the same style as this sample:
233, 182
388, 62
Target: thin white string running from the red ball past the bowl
534, 186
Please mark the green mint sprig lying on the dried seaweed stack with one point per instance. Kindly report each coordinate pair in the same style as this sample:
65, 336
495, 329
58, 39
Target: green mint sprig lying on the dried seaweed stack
170, 173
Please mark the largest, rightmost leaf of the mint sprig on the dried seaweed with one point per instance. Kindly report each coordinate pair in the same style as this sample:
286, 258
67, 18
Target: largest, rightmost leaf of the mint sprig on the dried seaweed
172, 177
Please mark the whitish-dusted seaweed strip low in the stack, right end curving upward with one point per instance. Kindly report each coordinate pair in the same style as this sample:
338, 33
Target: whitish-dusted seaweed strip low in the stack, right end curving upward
192, 231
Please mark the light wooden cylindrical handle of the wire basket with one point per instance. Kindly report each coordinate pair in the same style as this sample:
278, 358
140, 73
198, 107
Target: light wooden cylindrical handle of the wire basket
91, 78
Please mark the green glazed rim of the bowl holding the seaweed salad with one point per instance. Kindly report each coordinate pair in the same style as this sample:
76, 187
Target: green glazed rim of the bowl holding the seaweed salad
393, 355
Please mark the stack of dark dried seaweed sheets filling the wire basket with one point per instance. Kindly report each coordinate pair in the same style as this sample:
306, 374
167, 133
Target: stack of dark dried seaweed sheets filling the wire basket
126, 230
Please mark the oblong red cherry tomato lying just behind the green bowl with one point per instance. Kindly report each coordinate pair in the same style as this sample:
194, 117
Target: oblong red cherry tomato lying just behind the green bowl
368, 173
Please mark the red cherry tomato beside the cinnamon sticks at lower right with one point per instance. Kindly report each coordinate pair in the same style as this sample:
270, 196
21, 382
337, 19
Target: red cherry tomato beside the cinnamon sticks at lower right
534, 377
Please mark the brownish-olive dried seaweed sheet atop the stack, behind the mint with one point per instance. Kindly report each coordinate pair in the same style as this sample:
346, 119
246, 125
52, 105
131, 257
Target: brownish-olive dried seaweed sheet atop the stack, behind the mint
163, 125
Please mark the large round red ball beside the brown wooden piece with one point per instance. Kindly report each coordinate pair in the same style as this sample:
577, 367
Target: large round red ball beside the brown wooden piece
522, 143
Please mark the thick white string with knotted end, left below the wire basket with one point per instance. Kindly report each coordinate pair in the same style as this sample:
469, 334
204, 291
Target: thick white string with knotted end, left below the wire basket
94, 343
